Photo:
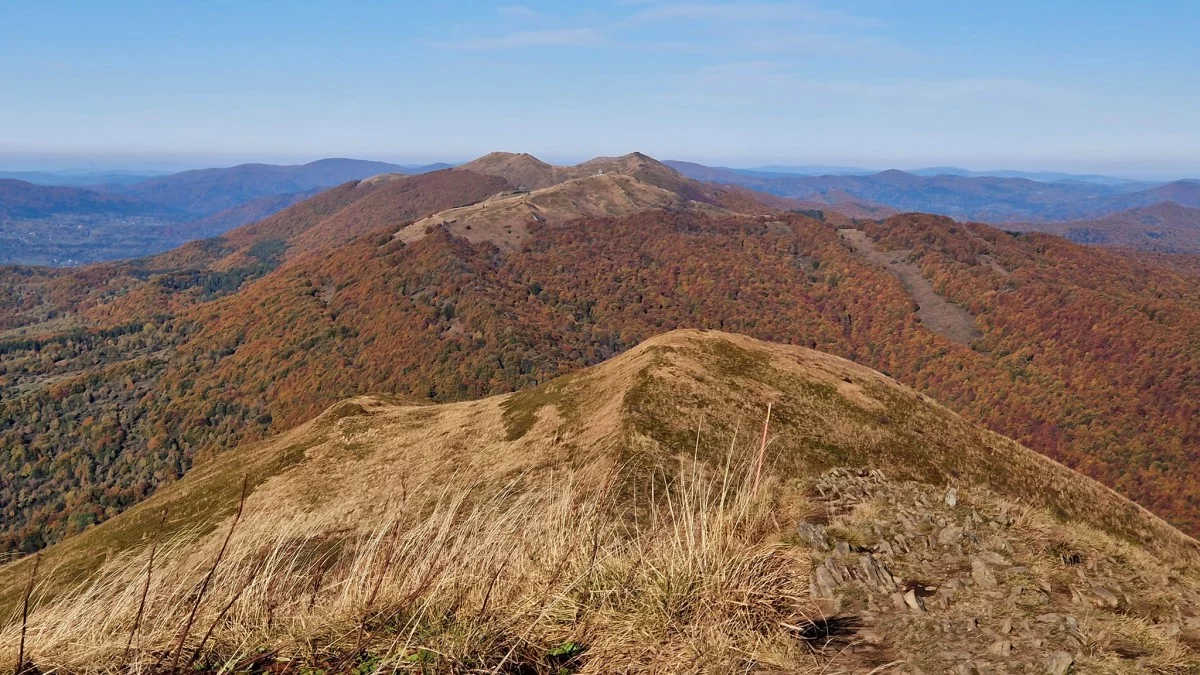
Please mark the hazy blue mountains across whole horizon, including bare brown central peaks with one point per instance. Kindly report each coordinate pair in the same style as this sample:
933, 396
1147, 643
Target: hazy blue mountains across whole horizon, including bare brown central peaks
63, 219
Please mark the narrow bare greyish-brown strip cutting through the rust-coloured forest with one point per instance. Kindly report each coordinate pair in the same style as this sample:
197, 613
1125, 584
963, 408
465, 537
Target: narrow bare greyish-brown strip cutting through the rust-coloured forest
935, 313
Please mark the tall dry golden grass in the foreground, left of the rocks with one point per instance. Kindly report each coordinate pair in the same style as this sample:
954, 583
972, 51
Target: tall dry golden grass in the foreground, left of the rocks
457, 578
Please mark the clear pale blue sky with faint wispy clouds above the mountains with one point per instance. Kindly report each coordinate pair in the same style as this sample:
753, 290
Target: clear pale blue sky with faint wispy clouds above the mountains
1077, 86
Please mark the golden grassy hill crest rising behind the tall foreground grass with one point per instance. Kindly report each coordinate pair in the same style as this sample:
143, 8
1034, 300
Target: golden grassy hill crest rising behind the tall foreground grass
640, 408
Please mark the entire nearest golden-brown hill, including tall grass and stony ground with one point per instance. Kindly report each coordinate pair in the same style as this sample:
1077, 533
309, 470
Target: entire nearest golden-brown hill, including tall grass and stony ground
647, 515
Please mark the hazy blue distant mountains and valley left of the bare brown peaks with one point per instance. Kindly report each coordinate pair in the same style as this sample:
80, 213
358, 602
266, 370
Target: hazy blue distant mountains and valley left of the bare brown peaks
129, 216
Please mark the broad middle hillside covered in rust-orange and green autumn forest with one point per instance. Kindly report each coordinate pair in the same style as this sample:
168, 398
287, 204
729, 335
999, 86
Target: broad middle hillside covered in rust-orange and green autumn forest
135, 372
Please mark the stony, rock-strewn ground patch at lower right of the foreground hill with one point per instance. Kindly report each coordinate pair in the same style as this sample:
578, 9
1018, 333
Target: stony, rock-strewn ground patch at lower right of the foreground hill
917, 580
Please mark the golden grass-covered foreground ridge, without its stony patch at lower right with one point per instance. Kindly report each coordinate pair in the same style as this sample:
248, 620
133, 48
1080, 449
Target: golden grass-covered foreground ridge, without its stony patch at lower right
608, 518
